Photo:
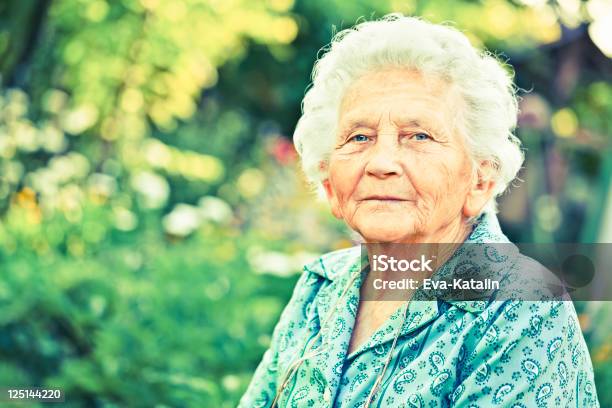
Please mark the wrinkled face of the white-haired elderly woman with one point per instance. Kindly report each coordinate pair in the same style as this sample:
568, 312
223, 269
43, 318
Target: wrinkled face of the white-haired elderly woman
400, 170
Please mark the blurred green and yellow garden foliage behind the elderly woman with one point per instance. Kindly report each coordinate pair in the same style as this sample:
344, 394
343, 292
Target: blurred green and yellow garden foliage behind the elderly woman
153, 218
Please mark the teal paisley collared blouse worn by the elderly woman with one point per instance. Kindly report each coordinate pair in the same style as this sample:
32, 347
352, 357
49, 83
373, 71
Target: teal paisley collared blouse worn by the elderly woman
470, 354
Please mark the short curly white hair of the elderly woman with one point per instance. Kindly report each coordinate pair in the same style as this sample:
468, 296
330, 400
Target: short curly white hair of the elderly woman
491, 106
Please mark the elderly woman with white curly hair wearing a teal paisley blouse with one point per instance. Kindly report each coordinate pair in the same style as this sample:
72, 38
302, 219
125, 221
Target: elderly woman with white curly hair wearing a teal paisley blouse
407, 130
